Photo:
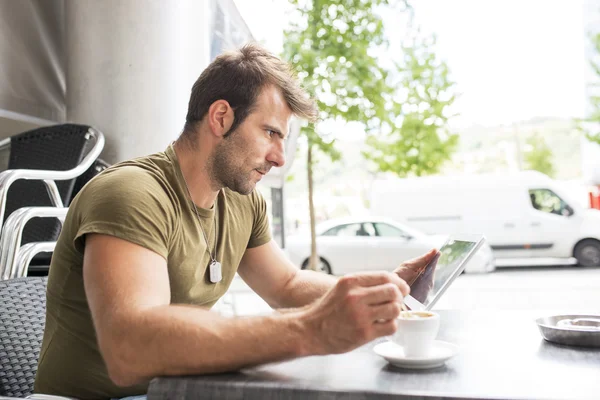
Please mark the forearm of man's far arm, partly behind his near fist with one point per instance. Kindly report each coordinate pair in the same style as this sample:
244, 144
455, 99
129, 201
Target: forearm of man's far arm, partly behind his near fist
305, 287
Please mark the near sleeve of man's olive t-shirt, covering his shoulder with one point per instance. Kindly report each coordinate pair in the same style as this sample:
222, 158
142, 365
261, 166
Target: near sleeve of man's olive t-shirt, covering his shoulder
128, 203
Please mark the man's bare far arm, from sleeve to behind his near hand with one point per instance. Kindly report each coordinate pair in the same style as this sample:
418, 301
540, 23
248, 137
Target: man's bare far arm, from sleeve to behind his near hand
273, 277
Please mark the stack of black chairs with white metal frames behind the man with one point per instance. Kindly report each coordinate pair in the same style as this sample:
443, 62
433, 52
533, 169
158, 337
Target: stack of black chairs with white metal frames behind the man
46, 166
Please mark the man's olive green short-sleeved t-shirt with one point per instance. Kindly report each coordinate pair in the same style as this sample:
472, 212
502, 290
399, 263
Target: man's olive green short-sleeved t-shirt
143, 201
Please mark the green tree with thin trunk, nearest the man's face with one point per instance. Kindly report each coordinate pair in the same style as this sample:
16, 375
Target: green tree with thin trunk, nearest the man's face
330, 48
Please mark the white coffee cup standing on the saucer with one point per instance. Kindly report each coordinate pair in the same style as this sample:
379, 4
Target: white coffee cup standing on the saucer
416, 332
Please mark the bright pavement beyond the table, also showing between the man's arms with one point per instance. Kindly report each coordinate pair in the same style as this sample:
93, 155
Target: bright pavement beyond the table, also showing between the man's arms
547, 289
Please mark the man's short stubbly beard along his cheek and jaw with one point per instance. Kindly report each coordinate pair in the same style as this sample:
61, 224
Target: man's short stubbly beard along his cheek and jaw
228, 168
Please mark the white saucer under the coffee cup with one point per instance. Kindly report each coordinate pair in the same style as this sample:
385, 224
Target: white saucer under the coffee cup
394, 354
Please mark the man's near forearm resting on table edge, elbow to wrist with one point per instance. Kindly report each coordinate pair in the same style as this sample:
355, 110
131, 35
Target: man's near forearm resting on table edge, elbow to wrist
179, 340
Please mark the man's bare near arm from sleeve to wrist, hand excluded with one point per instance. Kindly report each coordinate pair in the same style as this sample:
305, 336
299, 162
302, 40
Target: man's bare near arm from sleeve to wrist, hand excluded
141, 335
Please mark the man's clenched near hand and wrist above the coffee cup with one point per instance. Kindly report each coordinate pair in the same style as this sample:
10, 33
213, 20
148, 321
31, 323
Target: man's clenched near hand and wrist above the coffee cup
358, 309
